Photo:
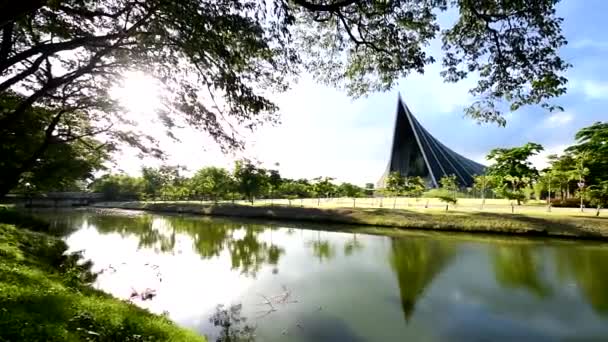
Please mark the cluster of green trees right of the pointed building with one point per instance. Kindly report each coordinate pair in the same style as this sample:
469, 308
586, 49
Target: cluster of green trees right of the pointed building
579, 176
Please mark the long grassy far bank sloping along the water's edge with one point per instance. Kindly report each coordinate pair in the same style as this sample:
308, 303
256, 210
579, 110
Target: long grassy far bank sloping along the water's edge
557, 225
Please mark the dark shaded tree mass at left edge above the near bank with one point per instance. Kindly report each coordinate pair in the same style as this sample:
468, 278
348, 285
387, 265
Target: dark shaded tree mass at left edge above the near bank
61, 164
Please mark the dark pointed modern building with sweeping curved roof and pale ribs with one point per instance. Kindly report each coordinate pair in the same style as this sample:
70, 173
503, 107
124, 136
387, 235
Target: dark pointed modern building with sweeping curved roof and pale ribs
415, 152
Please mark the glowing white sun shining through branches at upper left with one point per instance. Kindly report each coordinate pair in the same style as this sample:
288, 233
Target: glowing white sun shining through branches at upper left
139, 94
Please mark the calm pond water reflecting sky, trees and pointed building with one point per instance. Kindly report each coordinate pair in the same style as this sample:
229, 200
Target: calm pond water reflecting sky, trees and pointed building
338, 286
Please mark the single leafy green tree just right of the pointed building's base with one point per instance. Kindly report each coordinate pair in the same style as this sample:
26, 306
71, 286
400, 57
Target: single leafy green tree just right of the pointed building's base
512, 167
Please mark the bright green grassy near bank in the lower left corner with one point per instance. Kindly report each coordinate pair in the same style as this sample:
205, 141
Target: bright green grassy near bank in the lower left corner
45, 295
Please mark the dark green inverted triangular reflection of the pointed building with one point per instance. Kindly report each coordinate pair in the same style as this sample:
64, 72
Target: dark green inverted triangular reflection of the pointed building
416, 262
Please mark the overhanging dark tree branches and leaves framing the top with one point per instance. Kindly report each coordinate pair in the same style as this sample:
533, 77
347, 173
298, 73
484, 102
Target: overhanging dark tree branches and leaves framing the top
216, 60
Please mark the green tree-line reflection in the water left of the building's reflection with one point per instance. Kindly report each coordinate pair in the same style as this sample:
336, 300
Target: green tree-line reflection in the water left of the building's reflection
248, 252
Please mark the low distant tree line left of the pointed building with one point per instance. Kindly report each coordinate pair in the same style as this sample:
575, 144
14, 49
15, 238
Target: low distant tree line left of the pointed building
247, 181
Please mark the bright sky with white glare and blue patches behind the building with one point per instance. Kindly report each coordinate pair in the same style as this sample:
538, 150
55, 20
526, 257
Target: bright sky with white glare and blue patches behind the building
323, 132
